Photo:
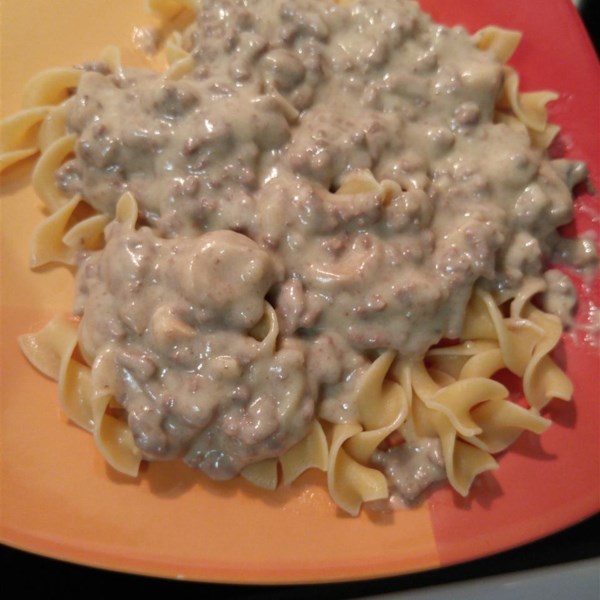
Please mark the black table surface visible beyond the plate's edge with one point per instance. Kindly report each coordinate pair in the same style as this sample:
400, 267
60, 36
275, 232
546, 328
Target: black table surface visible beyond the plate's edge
51, 578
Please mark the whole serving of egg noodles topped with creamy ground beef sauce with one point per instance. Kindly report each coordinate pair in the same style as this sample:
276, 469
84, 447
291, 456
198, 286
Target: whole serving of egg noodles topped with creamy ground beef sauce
312, 242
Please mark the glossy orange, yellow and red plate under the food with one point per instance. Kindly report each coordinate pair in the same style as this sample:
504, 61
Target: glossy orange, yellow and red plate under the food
59, 499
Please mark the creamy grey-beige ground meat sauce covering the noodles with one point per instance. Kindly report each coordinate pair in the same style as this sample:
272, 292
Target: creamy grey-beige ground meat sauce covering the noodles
286, 100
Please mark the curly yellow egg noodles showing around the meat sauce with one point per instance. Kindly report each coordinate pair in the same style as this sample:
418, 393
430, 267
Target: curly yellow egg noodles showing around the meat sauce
450, 394
